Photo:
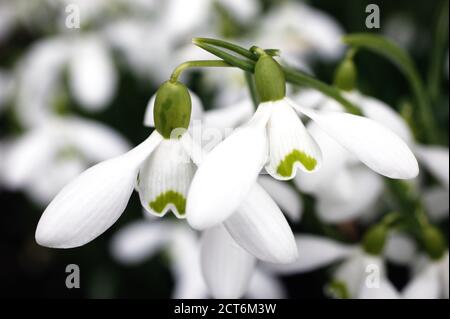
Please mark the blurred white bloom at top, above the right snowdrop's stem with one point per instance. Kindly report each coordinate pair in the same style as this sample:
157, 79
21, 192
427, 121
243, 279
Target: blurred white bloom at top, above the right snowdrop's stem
299, 31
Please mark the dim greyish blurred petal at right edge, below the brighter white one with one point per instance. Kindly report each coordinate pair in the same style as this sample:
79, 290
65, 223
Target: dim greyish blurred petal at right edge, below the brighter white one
436, 201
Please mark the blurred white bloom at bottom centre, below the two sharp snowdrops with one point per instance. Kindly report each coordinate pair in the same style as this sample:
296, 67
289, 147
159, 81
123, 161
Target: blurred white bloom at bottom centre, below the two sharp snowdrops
230, 274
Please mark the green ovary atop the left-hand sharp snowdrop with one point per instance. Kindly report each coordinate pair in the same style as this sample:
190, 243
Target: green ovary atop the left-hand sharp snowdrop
172, 109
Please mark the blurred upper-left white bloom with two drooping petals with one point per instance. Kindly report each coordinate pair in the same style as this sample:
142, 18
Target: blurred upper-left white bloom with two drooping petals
92, 76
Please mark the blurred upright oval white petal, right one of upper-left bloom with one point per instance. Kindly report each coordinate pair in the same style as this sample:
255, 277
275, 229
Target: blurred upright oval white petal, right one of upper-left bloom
92, 76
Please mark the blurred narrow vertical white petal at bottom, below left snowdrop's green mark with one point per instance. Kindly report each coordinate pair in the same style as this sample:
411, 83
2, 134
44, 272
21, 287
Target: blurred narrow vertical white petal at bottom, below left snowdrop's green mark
184, 251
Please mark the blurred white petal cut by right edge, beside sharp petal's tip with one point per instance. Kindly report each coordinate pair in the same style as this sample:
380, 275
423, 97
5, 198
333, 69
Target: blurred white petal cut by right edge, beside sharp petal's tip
436, 160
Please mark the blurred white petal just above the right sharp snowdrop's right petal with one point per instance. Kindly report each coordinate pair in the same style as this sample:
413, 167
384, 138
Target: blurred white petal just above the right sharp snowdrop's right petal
383, 114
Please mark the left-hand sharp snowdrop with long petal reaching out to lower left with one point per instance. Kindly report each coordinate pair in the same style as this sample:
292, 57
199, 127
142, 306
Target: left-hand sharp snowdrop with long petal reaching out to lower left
160, 168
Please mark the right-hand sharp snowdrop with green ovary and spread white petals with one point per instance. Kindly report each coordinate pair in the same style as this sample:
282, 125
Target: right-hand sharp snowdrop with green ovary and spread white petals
276, 139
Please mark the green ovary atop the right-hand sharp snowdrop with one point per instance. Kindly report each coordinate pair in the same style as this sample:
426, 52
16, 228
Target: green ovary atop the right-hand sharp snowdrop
269, 79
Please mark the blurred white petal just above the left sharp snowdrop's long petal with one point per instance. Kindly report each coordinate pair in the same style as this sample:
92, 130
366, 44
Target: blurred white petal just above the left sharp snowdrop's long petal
94, 140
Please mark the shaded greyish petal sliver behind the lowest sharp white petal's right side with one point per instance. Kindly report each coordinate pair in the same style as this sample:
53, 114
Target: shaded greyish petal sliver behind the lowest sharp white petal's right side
284, 195
